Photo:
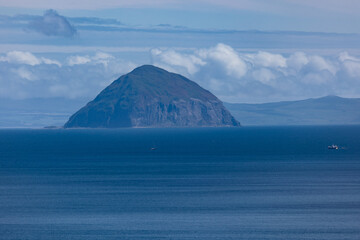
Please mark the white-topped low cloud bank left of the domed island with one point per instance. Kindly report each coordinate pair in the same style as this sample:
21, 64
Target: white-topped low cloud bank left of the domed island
25, 75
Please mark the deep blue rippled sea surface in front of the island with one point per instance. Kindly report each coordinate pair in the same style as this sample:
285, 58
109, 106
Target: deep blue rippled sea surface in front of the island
210, 183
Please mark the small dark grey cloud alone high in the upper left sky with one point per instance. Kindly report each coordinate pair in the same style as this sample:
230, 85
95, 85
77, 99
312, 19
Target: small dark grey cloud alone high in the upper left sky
52, 24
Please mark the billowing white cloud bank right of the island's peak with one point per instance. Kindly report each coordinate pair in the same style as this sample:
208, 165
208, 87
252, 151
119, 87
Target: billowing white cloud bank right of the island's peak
263, 76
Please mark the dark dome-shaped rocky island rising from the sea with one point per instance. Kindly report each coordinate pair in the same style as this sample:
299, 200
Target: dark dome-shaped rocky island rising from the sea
152, 97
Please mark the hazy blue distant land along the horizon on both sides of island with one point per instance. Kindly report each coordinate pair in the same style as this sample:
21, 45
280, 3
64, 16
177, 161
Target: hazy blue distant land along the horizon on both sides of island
322, 111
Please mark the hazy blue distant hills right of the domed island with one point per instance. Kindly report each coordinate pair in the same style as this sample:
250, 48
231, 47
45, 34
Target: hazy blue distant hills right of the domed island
330, 110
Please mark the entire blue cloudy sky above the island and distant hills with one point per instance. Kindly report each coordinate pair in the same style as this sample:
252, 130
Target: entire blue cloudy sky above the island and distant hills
241, 50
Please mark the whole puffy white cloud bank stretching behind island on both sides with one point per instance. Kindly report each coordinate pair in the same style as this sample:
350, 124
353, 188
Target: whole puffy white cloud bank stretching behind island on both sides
231, 75
